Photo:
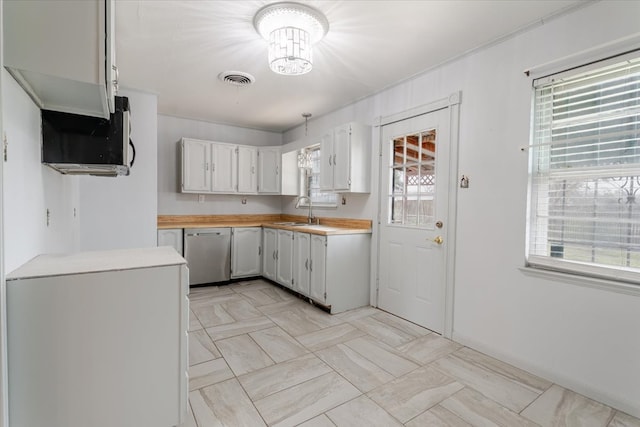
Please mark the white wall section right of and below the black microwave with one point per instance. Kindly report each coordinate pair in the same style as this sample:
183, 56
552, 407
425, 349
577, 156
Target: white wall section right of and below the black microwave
121, 212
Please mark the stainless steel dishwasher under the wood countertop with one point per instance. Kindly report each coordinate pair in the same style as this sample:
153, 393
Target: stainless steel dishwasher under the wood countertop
208, 254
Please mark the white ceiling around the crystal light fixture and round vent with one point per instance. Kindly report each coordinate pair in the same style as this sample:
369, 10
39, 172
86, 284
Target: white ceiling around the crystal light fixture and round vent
177, 48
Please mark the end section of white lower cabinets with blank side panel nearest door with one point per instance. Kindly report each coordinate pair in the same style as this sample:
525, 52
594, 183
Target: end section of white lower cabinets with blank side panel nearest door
333, 270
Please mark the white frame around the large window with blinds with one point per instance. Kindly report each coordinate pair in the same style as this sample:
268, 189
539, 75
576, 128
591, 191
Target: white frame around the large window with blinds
609, 275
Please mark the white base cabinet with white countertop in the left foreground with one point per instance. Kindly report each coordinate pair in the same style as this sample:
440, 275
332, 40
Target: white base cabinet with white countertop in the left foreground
99, 339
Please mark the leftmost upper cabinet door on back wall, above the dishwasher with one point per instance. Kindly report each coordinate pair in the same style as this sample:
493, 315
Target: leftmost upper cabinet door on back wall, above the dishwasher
196, 173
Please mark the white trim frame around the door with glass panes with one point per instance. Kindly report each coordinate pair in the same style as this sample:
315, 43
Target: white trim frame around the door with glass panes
452, 104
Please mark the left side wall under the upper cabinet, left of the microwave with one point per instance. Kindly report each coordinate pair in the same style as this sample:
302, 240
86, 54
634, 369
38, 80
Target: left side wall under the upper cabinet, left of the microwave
31, 188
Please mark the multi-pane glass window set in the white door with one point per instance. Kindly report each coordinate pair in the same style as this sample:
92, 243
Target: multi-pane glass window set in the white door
413, 179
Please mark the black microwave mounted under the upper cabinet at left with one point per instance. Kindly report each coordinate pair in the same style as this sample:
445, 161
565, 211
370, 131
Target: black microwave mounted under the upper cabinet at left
74, 144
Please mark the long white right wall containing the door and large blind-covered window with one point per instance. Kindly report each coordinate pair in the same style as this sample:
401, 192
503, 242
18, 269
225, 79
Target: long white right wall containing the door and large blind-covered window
584, 338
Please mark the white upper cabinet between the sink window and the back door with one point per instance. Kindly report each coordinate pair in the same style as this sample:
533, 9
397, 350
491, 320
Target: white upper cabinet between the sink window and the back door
345, 156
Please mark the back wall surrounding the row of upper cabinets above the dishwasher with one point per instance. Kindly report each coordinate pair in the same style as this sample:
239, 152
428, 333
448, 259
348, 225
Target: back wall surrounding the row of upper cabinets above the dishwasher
171, 202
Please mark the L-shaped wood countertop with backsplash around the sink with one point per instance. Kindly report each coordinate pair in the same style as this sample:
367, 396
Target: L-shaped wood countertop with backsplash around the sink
326, 226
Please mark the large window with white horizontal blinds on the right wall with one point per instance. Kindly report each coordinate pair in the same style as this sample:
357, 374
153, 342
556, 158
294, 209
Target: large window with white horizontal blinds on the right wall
584, 207
